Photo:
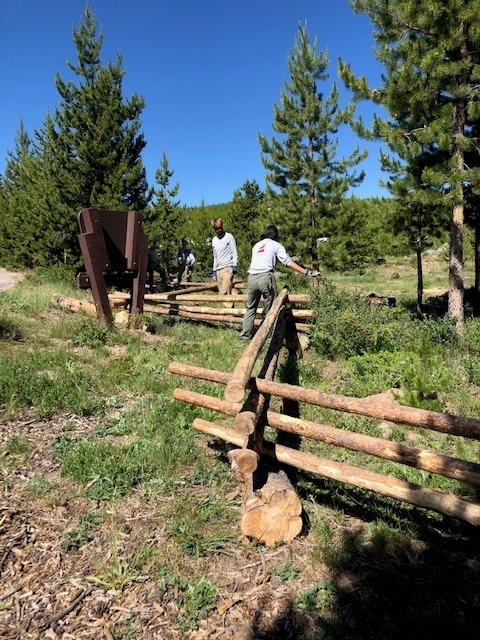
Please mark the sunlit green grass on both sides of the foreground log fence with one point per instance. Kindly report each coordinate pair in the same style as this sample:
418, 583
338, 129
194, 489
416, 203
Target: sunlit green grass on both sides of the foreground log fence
141, 446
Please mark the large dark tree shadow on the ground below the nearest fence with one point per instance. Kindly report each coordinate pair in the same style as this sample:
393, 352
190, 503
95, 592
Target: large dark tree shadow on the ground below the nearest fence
420, 587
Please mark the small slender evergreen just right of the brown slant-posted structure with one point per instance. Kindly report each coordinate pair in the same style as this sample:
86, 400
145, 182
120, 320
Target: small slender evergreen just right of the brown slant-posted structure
163, 218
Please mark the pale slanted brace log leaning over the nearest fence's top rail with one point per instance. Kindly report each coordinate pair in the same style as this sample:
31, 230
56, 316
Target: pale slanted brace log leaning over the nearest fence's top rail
237, 383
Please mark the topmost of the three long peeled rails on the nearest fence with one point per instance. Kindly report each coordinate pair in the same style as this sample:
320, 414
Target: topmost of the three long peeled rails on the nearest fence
391, 411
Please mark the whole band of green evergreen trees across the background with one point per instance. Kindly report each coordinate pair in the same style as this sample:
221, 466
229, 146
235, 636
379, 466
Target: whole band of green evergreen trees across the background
88, 153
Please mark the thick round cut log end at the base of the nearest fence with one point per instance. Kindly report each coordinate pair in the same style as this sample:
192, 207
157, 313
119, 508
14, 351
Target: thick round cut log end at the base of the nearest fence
272, 514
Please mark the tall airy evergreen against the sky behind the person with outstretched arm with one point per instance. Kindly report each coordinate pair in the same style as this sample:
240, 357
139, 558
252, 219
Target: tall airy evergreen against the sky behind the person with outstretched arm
303, 164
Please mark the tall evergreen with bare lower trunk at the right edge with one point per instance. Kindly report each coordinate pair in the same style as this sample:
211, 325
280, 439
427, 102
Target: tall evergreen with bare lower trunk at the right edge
430, 90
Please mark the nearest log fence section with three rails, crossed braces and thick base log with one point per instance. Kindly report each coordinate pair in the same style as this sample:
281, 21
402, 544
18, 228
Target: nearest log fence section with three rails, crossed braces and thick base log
271, 510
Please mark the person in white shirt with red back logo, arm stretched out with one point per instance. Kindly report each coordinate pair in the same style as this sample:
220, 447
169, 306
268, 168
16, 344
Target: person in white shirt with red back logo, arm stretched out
261, 278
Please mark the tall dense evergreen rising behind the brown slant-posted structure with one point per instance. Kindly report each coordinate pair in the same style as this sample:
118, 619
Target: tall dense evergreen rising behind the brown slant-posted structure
87, 154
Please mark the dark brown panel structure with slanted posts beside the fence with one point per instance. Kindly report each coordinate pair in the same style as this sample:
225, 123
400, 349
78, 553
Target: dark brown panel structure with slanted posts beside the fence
114, 250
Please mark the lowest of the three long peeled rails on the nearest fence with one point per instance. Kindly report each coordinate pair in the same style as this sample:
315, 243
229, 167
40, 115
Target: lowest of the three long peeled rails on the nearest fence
447, 504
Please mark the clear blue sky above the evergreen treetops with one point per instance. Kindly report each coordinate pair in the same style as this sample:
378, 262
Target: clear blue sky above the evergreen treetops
210, 72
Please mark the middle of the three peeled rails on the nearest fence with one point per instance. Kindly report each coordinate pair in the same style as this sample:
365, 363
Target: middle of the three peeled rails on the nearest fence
439, 463
